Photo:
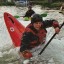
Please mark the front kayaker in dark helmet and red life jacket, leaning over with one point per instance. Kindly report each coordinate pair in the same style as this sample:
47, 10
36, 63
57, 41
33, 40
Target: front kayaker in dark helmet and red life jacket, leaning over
35, 34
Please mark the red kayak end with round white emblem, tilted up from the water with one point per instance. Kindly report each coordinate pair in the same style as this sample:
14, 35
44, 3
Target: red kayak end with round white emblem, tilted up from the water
15, 28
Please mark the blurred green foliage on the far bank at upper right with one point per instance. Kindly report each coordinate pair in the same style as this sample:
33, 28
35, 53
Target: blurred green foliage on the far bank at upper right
48, 3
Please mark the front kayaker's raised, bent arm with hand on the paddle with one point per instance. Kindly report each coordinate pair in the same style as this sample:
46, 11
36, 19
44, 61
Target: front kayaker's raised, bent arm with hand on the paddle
50, 23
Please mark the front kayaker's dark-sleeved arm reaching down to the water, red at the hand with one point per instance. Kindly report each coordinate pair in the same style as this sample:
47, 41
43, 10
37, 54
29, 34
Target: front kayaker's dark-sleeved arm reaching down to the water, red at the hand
24, 45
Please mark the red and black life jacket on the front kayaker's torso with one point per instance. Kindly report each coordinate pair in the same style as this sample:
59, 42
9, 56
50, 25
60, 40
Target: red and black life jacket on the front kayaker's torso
37, 37
